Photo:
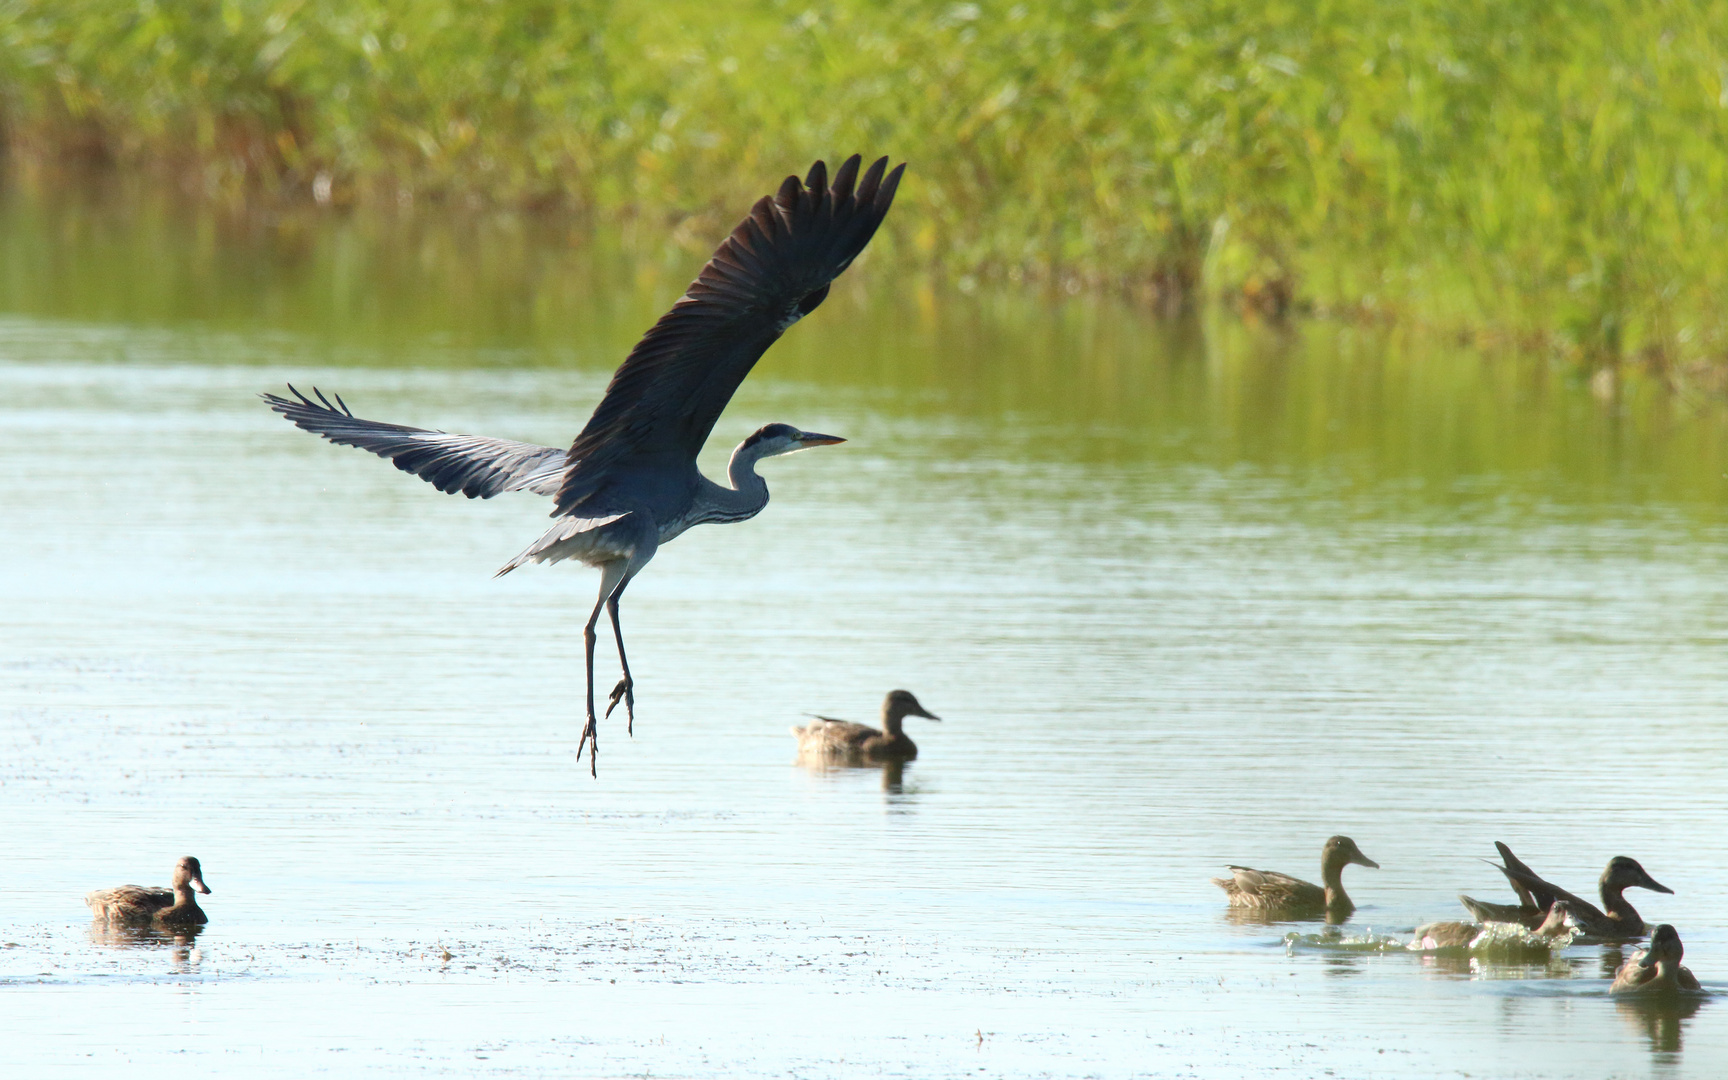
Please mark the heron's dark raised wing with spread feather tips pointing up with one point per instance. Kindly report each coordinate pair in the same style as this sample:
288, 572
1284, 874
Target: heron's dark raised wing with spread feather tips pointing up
770, 274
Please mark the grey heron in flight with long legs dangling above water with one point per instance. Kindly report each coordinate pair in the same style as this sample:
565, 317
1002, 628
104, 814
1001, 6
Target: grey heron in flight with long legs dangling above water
630, 483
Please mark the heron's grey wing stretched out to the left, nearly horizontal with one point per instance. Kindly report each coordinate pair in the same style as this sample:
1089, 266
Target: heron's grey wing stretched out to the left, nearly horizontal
474, 466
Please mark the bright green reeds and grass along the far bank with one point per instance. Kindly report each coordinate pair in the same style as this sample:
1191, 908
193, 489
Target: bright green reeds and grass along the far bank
1508, 170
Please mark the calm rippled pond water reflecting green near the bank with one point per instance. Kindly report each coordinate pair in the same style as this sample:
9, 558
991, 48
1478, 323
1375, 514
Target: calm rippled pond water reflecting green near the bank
1183, 595
